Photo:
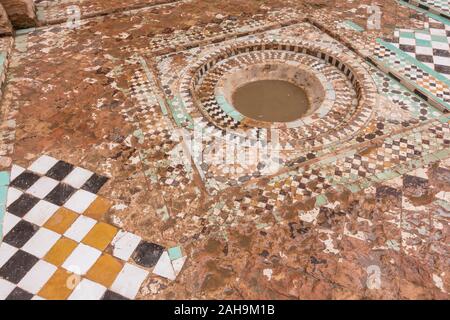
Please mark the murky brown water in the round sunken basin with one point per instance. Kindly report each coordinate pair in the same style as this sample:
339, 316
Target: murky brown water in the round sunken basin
271, 100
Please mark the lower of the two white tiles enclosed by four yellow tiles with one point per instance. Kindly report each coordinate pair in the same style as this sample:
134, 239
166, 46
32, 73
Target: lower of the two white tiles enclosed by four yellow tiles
81, 259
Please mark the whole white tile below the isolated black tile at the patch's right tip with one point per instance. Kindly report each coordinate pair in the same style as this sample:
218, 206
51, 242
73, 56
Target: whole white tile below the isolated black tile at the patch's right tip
129, 281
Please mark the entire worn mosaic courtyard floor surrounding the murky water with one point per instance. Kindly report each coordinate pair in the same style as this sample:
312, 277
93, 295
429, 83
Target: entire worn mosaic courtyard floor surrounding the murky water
102, 195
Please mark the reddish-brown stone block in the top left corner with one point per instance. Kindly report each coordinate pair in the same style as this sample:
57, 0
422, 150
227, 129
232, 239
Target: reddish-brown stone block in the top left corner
21, 13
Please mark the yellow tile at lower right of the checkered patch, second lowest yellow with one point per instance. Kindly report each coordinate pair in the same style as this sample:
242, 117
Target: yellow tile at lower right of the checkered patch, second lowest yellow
105, 270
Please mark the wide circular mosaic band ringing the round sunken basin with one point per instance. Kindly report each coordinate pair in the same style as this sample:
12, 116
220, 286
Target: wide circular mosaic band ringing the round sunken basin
344, 112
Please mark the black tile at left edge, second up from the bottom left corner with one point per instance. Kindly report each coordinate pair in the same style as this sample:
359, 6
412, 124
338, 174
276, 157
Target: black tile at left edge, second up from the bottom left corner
18, 266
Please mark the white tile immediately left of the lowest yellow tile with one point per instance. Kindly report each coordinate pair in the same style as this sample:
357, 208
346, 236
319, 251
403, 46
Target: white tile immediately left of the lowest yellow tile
37, 277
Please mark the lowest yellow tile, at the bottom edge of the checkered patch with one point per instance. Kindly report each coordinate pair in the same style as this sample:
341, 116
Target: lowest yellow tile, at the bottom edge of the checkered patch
60, 285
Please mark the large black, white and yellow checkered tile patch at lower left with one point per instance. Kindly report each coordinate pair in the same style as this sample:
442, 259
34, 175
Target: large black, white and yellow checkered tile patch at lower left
52, 250
